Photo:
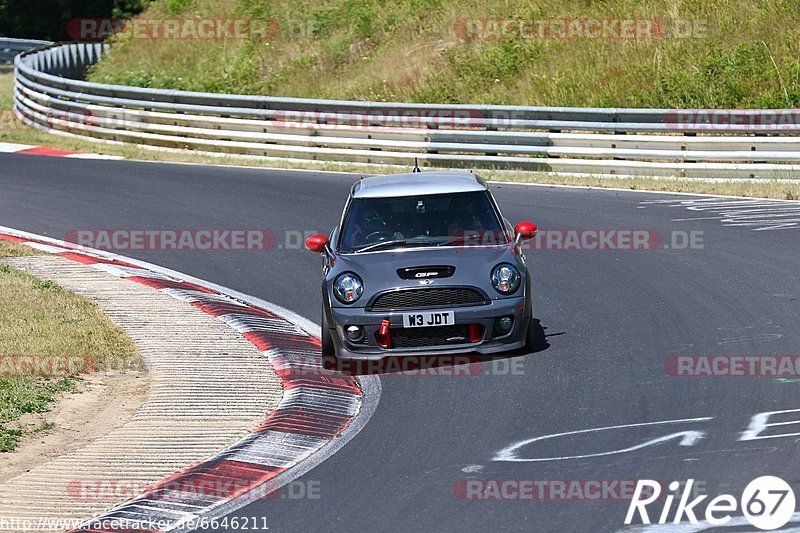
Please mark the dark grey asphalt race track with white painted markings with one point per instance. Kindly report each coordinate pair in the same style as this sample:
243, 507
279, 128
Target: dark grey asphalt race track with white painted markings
612, 320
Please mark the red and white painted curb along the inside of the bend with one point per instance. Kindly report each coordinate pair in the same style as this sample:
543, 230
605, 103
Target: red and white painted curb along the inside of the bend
318, 414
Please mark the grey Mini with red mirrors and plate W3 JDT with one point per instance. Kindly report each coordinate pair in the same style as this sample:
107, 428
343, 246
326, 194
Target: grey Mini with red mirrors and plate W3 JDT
424, 264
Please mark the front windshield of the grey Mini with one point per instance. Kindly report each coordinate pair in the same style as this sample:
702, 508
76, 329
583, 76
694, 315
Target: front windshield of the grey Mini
435, 220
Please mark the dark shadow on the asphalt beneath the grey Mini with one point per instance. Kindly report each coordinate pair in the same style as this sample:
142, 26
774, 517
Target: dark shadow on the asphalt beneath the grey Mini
432, 364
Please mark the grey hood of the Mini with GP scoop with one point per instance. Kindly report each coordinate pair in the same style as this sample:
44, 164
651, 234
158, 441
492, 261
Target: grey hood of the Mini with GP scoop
472, 264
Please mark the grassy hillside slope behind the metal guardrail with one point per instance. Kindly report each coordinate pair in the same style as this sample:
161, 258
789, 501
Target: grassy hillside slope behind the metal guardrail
698, 54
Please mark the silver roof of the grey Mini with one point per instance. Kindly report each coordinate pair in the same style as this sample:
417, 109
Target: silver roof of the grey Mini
417, 183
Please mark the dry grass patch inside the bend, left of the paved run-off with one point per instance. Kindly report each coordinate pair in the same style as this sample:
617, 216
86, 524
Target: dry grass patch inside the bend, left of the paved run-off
48, 337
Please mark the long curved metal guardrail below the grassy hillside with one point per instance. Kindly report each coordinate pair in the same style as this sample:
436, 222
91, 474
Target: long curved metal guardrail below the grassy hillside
50, 93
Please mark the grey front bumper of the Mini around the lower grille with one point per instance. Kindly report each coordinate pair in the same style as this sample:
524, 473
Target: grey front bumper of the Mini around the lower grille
493, 341
